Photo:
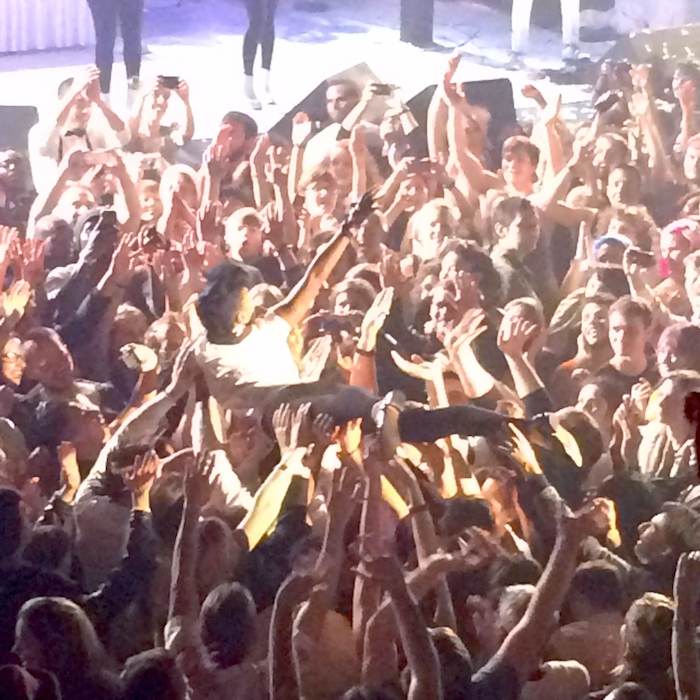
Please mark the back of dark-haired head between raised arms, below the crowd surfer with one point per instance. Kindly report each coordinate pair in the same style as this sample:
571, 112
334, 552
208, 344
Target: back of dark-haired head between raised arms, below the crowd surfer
227, 622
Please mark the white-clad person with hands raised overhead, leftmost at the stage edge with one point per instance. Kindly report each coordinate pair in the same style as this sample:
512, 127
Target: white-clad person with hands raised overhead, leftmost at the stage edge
83, 121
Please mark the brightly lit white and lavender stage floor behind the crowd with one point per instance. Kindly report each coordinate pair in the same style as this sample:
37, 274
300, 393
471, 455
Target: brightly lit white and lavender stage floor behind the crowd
201, 41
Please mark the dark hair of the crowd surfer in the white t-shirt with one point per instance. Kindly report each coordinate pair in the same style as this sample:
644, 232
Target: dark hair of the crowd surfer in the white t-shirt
218, 302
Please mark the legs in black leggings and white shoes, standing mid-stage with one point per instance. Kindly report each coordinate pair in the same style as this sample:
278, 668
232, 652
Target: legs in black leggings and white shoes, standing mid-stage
261, 31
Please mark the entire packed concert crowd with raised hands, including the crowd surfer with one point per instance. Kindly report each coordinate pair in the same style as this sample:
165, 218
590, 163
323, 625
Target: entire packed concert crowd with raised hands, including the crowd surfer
382, 411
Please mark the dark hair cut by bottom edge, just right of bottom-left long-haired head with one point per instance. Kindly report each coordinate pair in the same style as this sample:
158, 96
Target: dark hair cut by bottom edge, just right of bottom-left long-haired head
152, 674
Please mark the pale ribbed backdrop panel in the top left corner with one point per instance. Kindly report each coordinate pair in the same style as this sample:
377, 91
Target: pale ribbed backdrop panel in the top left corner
27, 25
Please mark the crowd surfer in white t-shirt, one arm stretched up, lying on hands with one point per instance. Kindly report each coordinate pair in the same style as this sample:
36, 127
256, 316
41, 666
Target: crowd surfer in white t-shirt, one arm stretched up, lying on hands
247, 361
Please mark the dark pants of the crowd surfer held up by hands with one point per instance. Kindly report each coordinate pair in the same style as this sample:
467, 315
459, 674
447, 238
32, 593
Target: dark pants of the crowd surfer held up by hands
345, 403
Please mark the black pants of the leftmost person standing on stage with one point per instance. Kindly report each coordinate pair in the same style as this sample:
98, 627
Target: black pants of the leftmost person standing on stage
105, 15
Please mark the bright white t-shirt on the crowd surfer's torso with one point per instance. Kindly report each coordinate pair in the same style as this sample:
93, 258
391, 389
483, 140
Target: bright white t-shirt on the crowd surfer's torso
243, 373
